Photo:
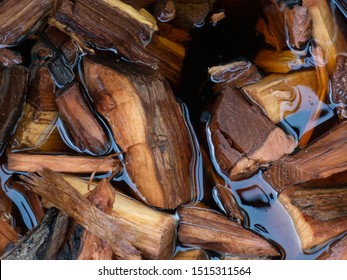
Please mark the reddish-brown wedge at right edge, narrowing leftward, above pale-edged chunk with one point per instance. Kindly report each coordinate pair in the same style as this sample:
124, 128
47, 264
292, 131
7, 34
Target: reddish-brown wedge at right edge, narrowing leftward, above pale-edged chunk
322, 159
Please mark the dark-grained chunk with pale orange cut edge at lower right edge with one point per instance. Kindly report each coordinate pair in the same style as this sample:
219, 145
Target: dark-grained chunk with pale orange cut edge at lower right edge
319, 213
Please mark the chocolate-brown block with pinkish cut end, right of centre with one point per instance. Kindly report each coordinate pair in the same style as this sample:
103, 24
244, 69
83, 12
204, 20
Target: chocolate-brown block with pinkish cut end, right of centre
243, 138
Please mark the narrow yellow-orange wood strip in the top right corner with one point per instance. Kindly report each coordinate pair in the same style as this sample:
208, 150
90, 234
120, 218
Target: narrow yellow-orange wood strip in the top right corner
325, 32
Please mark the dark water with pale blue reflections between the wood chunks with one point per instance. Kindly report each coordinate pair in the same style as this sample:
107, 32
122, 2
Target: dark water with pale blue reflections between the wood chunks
211, 44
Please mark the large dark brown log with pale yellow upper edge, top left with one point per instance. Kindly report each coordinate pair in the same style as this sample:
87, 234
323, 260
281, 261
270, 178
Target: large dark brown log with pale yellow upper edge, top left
86, 21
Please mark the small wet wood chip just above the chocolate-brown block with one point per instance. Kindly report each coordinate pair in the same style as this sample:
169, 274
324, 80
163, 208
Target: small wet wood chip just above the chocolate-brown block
235, 74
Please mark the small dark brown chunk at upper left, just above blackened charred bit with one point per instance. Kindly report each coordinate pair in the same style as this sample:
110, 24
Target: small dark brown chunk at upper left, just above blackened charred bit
63, 43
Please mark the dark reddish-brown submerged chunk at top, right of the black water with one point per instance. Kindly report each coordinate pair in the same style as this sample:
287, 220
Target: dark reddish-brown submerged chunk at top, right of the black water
272, 27
